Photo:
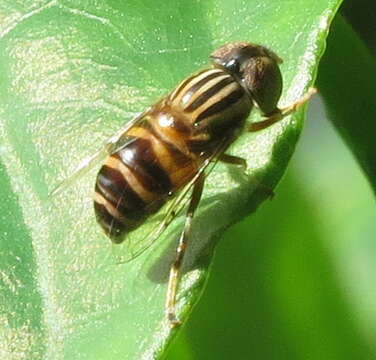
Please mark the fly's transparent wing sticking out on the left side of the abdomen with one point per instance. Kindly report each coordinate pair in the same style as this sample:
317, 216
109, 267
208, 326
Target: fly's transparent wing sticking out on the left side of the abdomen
111, 145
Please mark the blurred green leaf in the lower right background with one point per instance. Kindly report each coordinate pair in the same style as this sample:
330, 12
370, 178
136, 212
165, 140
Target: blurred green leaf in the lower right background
295, 280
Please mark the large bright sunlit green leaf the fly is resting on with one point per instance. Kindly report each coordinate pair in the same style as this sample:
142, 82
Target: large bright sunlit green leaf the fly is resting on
72, 73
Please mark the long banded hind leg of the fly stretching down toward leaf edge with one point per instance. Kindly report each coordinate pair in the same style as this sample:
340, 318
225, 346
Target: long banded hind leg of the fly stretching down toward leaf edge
176, 266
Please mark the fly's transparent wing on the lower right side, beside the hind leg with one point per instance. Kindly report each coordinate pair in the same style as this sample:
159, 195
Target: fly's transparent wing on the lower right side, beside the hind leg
138, 241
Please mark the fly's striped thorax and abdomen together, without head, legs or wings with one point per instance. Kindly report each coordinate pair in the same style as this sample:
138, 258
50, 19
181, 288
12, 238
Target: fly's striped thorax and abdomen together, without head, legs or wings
164, 150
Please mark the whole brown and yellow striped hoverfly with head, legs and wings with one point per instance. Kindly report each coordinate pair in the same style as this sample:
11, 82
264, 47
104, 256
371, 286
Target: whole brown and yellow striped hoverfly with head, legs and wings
165, 152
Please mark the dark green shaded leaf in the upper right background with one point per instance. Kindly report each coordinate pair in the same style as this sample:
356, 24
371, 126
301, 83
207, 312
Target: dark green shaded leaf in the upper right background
346, 80
